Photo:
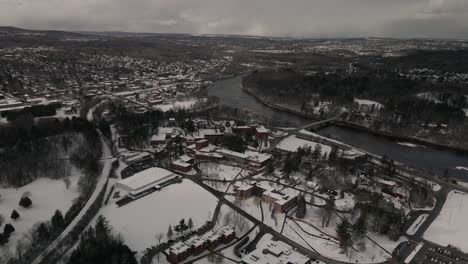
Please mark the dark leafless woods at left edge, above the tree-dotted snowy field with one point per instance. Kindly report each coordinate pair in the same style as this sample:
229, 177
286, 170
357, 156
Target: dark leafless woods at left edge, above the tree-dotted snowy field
48, 149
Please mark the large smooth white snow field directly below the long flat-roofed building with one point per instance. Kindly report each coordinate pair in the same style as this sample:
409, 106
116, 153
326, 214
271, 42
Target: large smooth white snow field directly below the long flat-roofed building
140, 220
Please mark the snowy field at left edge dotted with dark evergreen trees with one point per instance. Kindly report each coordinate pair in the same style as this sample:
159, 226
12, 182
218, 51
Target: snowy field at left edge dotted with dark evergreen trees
47, 195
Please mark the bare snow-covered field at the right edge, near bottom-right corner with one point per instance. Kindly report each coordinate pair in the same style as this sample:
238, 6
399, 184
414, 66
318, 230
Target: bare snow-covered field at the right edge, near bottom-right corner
450, 226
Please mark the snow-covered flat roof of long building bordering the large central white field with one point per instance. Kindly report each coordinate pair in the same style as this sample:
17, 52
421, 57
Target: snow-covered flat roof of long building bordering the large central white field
143, 178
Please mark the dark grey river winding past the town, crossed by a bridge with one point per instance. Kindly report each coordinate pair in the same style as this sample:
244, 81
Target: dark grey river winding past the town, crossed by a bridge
426, 158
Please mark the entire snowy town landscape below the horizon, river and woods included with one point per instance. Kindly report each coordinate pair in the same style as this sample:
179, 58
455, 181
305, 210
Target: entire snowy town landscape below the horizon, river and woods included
212, 149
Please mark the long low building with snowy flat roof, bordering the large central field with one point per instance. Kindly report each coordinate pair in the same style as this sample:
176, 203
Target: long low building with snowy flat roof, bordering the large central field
142, 181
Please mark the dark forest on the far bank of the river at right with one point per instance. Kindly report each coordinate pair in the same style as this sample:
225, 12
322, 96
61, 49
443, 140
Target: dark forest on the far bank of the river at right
385, 86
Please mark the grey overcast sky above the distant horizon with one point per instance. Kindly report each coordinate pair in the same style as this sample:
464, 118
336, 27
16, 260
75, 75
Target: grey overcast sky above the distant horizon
297, 18
